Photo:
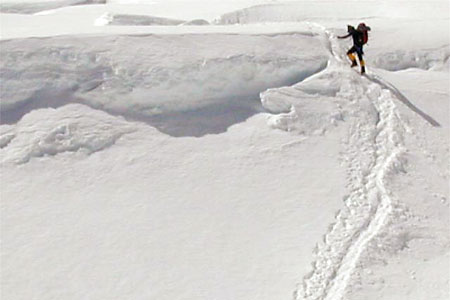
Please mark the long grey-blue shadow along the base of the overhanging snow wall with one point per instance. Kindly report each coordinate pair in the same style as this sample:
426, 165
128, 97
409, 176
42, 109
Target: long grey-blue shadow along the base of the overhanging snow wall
213, 118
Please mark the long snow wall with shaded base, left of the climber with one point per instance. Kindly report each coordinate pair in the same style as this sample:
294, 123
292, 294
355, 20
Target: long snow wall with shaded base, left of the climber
158, 80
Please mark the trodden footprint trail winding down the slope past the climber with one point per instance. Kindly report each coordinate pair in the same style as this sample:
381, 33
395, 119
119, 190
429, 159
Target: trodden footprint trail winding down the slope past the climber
374, 150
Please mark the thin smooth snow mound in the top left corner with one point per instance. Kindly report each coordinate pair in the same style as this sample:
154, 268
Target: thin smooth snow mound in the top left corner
35, 7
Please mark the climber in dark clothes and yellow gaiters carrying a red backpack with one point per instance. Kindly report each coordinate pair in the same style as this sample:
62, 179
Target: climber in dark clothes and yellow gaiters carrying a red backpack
360, 37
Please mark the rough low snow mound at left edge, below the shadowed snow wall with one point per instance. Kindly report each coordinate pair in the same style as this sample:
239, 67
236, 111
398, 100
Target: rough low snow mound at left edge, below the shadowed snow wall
72, 128
